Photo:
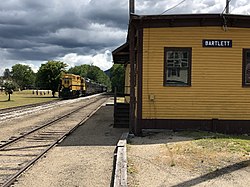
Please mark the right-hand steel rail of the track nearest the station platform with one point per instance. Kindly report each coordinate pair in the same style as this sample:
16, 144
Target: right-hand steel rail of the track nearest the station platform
12, 179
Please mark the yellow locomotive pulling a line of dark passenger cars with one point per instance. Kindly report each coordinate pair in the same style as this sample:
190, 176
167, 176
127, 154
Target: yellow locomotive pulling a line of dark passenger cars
73, 86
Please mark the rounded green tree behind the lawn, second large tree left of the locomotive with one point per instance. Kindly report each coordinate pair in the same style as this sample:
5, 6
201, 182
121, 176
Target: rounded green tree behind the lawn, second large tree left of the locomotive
23, 75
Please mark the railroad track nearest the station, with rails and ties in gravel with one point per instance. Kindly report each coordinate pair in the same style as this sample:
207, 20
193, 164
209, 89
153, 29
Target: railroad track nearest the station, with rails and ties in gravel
19, 153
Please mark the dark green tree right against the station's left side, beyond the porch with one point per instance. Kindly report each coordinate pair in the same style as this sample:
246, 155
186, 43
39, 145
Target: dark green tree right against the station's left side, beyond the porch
117, 76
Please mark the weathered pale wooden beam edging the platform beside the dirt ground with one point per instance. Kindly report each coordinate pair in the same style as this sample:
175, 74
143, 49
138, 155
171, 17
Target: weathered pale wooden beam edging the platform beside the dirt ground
120, 174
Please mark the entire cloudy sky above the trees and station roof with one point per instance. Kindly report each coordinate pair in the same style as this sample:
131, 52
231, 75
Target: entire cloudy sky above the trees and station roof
80, 31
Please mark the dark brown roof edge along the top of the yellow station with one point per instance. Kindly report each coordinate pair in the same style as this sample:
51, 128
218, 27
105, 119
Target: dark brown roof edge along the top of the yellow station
191, 20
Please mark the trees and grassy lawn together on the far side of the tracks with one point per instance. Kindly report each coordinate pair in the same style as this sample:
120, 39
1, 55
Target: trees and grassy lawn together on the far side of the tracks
20, 85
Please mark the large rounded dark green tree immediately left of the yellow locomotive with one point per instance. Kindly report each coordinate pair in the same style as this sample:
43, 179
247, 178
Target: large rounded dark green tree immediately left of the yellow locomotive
49, 74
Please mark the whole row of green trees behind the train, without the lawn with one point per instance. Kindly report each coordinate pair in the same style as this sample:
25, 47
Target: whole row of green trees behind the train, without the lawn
48, 76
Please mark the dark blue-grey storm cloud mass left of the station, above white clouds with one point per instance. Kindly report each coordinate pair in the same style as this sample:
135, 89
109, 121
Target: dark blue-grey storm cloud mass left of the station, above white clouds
40, 30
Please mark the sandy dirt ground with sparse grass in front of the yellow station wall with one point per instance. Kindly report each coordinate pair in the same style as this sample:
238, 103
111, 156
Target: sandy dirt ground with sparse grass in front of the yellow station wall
188, 159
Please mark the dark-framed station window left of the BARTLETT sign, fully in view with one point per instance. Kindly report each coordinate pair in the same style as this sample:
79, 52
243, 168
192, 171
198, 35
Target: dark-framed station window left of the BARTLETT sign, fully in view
177, 69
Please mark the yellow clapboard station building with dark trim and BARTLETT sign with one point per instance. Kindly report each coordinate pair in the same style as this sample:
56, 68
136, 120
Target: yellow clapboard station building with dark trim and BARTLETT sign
188, 71
